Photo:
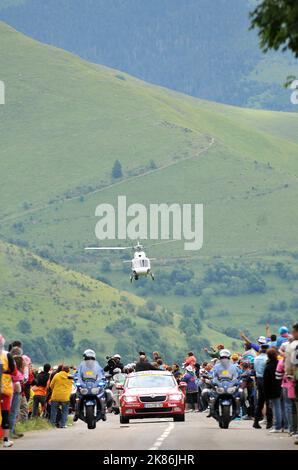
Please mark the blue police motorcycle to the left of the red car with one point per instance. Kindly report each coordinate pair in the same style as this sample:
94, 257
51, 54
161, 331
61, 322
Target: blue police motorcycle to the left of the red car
91, 401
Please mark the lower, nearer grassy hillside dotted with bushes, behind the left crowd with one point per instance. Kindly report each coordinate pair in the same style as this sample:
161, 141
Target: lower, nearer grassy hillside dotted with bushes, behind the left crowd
58, 313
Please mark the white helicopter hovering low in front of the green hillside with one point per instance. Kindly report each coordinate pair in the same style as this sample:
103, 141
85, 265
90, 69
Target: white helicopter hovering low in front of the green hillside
140, 264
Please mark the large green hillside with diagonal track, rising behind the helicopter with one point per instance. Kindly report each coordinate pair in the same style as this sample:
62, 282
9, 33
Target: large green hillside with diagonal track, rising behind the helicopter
64, 124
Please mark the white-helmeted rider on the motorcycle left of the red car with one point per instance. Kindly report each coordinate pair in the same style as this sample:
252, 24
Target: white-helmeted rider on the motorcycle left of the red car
90, 369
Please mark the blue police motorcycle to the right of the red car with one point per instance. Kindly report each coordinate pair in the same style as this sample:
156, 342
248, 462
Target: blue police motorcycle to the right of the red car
225, 402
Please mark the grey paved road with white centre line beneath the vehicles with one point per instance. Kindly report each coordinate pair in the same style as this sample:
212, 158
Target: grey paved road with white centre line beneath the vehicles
197, 433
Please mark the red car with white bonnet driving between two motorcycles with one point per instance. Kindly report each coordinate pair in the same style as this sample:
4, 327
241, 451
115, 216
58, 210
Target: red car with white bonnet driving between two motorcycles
152, 394
